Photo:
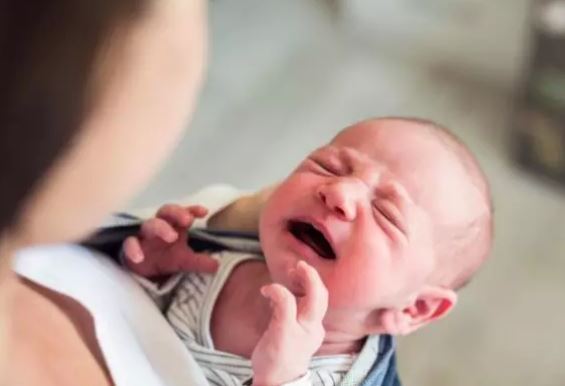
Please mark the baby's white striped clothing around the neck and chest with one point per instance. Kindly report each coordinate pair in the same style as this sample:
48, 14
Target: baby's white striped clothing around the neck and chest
188, 300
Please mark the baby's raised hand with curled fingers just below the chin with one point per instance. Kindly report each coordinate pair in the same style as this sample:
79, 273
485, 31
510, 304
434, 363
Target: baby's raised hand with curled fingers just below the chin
295, 332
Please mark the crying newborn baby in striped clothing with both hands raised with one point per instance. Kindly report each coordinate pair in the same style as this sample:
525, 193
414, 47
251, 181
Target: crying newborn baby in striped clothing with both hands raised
371, 235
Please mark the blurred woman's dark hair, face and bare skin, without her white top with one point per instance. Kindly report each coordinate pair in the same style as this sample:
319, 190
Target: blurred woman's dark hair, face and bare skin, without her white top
93, 96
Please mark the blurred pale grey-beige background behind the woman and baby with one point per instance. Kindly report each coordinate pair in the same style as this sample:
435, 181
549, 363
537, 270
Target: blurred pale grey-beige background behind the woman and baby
286, 75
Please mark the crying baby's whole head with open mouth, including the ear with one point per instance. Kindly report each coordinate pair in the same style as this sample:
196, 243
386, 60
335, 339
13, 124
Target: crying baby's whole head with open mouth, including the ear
393, 213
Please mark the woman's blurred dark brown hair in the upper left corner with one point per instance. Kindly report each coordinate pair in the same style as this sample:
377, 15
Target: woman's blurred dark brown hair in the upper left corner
48, 50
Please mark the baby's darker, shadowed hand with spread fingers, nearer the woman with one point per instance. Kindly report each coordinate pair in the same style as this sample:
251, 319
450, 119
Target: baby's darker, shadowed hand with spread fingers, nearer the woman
161, 247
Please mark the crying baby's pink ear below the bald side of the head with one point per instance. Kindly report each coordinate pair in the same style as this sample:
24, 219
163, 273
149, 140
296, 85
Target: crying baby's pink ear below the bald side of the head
431, 304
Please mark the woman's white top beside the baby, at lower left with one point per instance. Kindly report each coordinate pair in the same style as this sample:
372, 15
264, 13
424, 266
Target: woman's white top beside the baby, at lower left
138, 344
